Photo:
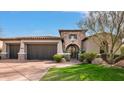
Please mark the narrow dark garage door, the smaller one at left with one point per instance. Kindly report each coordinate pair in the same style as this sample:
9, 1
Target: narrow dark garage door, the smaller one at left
13, 51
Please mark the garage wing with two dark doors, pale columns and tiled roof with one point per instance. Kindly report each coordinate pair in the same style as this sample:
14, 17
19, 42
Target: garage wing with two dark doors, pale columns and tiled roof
31, 48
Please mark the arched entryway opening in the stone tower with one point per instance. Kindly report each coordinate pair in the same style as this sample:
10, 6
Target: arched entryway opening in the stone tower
73, 50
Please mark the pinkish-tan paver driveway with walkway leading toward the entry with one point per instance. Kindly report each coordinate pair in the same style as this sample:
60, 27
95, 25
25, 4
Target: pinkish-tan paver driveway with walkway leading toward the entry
29, 70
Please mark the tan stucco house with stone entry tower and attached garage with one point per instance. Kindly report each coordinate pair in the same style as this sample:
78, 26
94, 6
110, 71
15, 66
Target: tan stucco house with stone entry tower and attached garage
44, 47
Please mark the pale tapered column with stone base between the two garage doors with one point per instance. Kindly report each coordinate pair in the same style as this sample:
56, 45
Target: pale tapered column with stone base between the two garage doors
22, 54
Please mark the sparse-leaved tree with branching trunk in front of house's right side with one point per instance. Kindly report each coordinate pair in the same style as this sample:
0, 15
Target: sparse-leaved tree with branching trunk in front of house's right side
108, 28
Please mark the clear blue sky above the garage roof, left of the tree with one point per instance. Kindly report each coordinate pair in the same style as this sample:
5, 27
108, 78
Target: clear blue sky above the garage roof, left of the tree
37, 23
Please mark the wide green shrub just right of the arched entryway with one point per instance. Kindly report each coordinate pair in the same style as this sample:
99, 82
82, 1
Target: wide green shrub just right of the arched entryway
88, 57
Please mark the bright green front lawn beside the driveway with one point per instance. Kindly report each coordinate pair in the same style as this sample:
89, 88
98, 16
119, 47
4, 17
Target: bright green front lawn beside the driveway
85, 72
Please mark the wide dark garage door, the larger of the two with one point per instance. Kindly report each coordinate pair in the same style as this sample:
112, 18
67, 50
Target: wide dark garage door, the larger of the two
41, 51
